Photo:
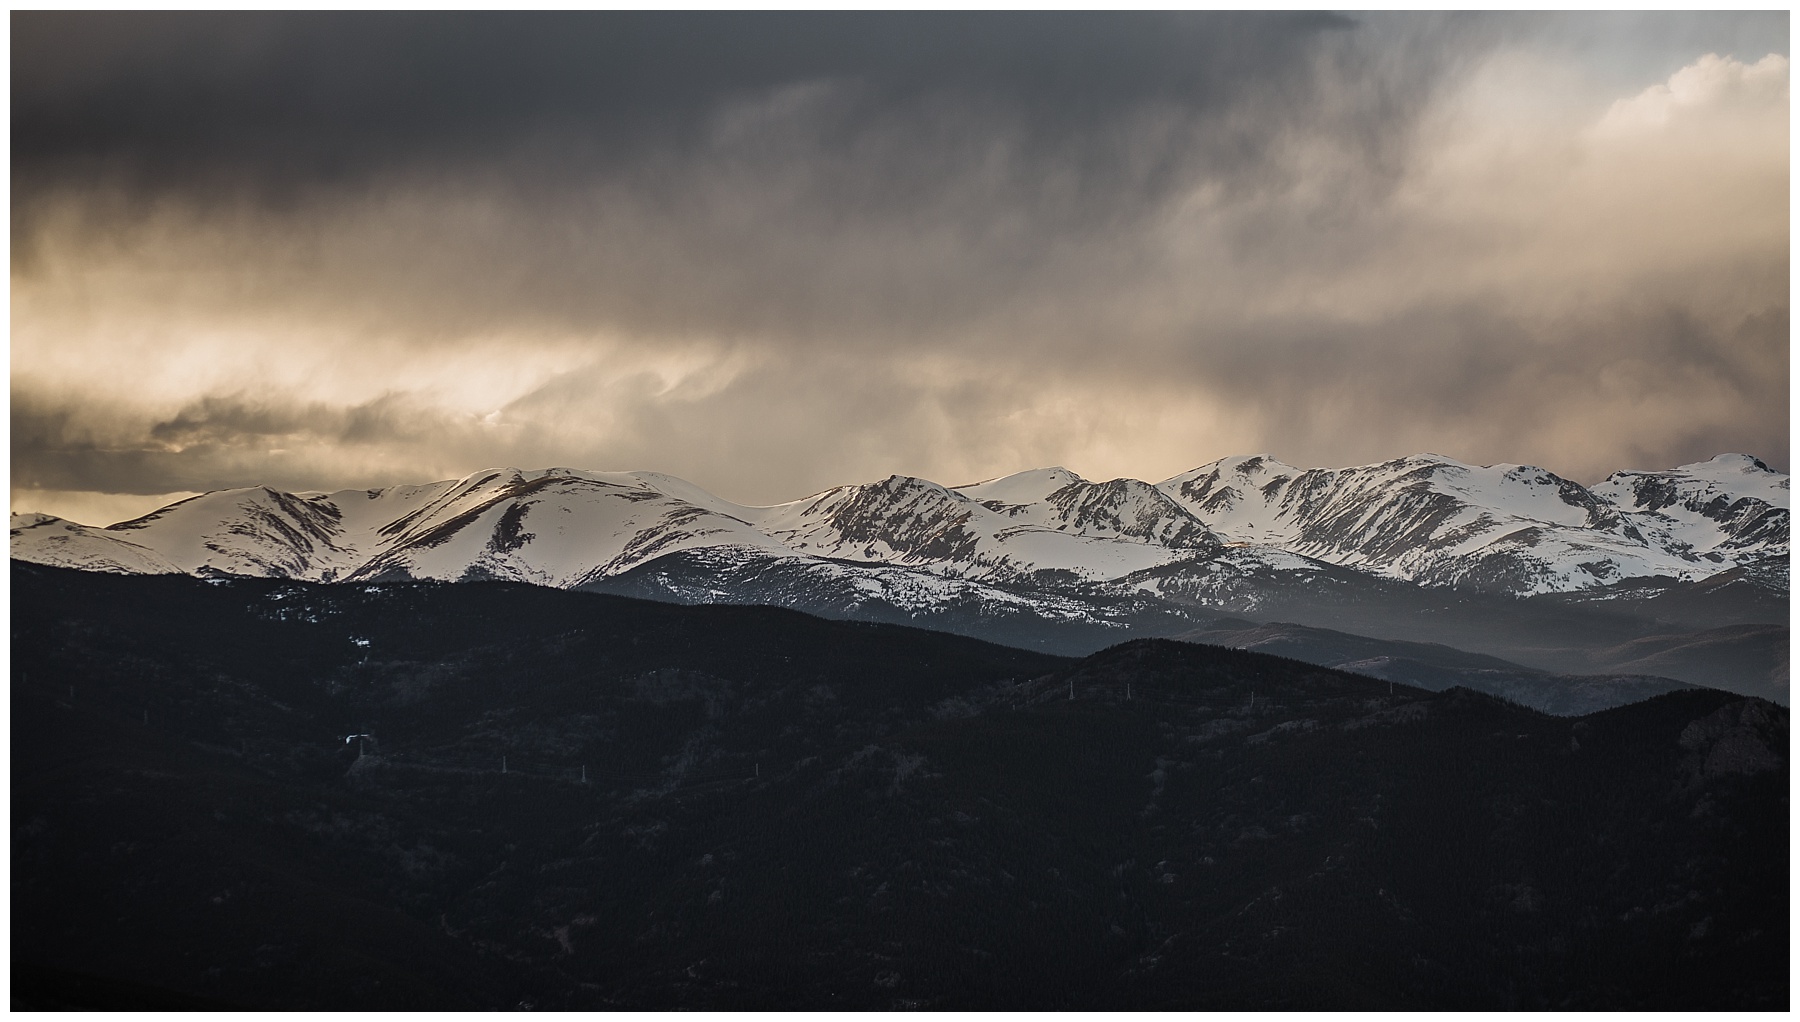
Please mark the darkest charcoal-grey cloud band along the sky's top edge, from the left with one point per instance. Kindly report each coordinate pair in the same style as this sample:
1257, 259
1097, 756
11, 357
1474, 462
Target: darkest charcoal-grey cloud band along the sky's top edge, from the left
328, 96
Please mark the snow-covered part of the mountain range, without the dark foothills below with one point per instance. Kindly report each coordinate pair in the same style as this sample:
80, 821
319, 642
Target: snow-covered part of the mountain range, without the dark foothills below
1426, 521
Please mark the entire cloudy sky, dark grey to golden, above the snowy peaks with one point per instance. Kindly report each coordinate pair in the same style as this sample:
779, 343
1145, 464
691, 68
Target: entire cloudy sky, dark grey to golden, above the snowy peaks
780, 253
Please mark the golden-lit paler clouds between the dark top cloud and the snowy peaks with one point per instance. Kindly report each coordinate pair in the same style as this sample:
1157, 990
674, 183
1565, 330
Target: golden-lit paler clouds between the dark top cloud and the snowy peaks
1534, 269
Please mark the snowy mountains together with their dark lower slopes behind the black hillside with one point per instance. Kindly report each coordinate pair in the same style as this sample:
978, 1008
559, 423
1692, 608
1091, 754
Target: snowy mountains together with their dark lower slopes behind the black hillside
1509, 562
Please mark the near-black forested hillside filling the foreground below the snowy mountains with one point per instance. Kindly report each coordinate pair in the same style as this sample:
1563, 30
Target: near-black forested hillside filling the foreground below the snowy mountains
787, 812
